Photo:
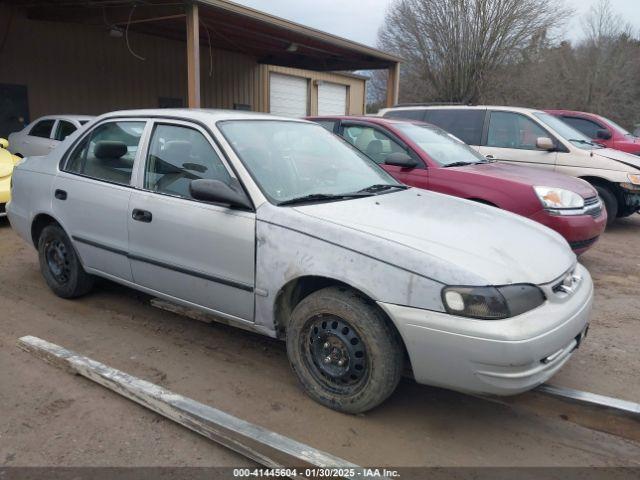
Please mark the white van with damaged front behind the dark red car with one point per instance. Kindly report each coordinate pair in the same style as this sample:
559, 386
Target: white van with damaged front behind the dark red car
536, 138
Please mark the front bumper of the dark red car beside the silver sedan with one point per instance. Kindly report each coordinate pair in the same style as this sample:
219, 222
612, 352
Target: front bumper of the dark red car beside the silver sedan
581, 231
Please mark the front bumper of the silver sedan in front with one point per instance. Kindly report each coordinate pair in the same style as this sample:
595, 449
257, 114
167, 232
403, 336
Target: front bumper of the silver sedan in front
499, 357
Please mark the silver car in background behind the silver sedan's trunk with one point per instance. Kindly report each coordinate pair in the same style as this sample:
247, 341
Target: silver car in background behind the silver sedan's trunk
44, 134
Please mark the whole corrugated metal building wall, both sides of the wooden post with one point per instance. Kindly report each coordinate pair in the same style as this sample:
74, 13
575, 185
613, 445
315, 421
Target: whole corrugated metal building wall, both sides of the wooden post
71, 68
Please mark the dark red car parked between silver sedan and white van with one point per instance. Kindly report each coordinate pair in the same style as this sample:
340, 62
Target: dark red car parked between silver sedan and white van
425, 156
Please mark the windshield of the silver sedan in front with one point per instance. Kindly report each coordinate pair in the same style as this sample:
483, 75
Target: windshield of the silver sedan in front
294, 160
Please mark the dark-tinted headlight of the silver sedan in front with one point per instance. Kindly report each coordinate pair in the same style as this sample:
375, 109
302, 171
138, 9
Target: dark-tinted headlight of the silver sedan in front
492, 303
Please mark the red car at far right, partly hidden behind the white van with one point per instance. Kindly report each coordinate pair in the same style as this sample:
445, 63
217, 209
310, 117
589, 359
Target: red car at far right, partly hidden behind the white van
600, 129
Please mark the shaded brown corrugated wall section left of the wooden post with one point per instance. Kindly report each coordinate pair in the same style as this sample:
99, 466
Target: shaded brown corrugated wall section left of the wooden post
70, 68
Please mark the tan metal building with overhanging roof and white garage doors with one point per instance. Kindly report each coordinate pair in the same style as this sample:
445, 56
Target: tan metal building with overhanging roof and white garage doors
89, 57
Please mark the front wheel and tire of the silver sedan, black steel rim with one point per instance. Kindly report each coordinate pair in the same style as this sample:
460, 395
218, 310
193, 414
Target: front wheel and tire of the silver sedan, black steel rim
337, 324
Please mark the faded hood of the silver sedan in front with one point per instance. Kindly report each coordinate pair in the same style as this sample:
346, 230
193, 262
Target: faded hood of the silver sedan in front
451, 240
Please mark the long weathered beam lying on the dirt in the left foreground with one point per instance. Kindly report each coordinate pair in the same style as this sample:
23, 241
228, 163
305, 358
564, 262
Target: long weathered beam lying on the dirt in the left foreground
259, 444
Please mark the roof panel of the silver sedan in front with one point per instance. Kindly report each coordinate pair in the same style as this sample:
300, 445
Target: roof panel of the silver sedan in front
197, 114
